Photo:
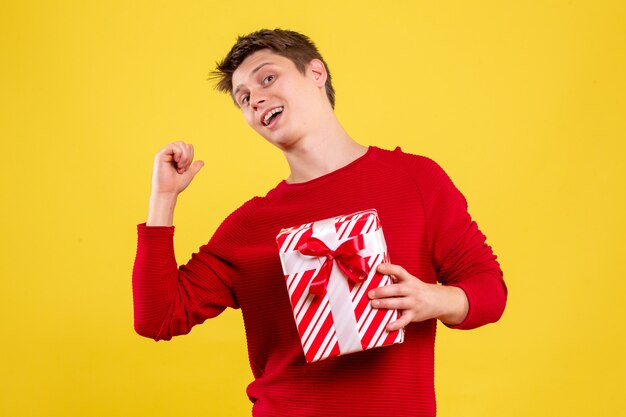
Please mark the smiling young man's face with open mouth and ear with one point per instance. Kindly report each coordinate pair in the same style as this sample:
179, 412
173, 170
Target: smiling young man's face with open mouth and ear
276, 99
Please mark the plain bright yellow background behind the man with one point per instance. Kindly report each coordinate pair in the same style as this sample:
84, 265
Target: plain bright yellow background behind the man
522, 104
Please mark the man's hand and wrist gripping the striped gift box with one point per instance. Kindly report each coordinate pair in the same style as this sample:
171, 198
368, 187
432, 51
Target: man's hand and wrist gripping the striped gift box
417, 300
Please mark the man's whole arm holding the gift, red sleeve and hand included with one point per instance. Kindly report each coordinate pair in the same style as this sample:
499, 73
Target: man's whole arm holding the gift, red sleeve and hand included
472, 291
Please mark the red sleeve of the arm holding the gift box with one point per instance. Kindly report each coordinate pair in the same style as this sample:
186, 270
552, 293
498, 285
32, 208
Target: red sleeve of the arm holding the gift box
460, 254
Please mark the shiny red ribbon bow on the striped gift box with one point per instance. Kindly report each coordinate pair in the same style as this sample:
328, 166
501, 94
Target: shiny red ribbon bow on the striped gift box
352, 265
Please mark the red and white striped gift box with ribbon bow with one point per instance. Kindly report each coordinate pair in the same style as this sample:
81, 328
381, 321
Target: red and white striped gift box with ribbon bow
329, 267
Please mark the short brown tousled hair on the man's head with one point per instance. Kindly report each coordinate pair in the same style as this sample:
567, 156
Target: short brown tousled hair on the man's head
295, 46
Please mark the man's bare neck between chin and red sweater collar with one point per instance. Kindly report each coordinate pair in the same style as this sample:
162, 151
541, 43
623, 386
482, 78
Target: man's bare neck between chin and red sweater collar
322, 152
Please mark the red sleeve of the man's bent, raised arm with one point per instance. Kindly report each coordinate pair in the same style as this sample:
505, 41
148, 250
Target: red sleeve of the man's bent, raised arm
169, 300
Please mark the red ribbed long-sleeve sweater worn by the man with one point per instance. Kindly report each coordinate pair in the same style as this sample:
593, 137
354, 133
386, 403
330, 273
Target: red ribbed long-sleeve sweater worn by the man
428, 231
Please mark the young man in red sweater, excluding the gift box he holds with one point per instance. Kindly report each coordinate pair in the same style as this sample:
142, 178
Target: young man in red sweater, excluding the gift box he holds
442, 267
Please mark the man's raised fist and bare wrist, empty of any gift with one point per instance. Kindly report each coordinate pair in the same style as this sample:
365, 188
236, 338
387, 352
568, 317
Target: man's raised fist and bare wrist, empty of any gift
173, 170
